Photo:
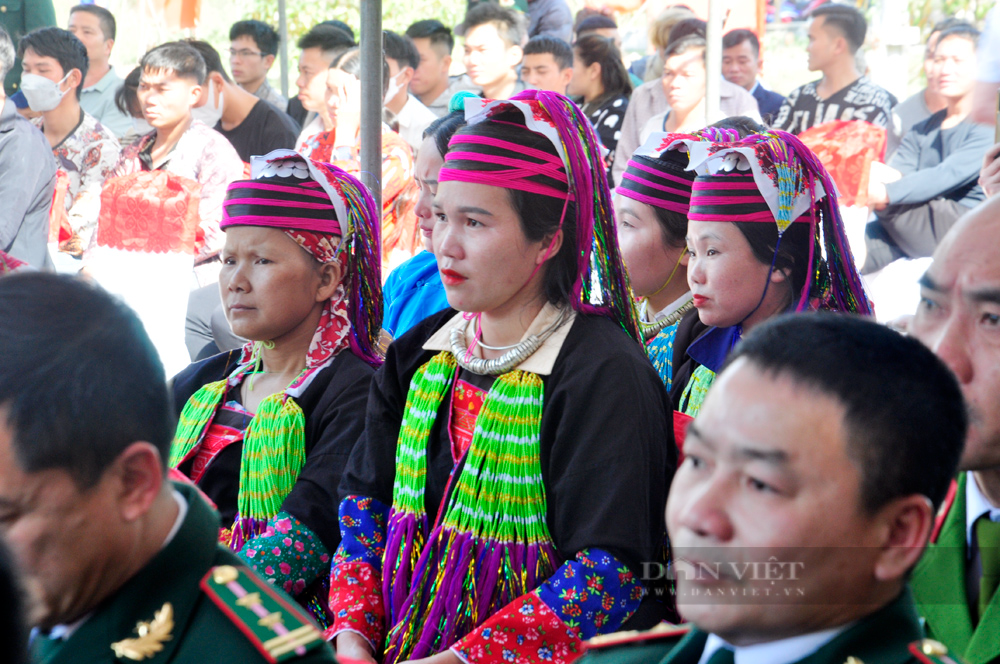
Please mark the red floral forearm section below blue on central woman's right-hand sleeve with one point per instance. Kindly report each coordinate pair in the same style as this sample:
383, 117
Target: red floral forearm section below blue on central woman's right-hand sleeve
526, 631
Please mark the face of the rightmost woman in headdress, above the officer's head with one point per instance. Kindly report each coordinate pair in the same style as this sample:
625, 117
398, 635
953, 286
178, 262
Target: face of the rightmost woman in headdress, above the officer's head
725, 277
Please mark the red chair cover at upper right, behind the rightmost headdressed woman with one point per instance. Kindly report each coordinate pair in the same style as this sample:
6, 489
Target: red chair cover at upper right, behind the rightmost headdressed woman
847, 150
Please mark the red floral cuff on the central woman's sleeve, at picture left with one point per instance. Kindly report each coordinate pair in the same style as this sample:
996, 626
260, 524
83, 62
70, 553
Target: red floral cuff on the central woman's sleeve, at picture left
356, 592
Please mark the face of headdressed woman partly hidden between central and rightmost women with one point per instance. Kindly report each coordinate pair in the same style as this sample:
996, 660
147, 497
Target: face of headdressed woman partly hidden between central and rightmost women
648, 257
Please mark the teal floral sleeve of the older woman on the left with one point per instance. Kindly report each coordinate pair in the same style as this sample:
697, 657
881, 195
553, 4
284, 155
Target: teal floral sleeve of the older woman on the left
287, 554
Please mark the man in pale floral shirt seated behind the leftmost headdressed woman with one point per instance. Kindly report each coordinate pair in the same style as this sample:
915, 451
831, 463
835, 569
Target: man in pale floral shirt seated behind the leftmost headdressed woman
173, 77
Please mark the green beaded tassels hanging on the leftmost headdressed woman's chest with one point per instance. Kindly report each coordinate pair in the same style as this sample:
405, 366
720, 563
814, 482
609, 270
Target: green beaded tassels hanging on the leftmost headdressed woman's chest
274, 452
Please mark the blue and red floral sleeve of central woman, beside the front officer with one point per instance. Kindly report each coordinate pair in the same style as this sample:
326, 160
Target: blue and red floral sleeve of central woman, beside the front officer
593, 594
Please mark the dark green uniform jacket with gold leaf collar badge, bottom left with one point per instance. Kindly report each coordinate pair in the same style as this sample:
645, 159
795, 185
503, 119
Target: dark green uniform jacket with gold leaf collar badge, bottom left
194, 603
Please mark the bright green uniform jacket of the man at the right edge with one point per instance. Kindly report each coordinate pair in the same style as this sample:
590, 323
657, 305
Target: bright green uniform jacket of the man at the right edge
938, 585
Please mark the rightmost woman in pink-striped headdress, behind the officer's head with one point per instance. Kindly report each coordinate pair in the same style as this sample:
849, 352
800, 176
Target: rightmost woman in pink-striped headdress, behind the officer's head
765, 237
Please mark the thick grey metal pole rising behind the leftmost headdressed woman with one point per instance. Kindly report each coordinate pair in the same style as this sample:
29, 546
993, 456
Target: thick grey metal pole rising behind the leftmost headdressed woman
371, 97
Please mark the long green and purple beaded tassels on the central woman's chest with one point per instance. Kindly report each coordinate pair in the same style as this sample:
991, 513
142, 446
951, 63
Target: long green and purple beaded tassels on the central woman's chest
491, 543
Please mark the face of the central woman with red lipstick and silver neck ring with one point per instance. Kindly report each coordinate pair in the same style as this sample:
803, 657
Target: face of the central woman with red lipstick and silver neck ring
484, 258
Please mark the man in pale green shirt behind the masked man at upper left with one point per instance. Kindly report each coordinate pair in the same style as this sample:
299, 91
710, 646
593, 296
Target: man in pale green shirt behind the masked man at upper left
95, 27
